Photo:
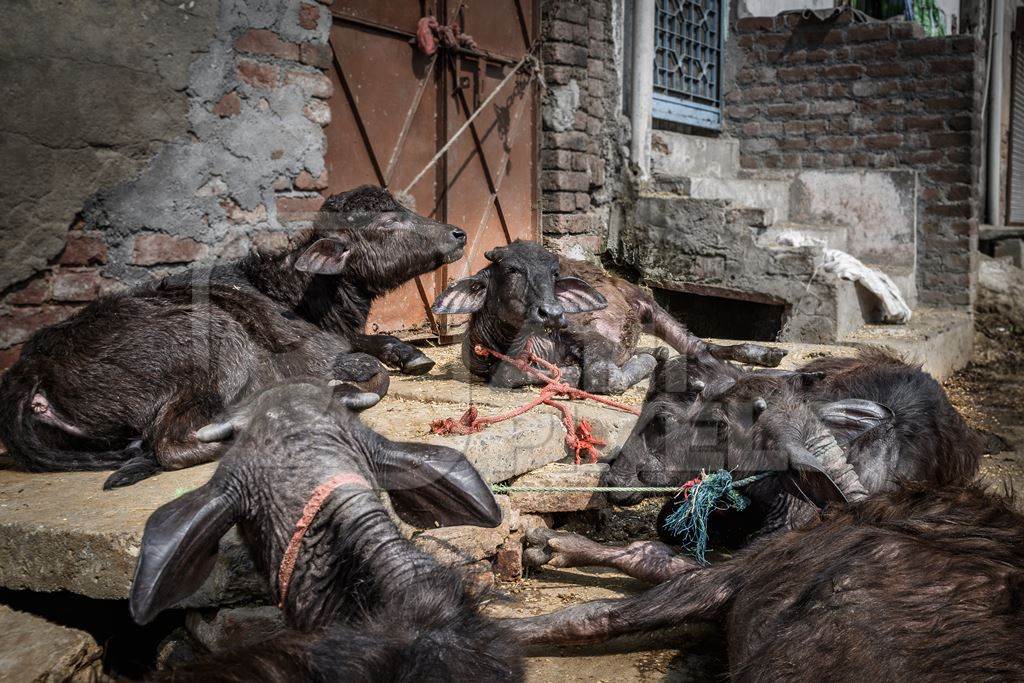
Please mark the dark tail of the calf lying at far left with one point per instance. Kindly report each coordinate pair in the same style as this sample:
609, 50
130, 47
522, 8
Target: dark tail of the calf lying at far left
25, 435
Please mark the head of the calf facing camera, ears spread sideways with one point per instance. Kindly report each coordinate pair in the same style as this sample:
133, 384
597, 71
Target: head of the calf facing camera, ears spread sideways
522, 289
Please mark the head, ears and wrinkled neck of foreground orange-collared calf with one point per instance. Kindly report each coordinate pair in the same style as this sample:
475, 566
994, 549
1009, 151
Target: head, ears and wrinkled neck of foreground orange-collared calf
289, 441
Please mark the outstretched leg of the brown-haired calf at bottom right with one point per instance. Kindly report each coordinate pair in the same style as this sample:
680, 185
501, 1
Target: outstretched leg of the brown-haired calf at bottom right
703, 594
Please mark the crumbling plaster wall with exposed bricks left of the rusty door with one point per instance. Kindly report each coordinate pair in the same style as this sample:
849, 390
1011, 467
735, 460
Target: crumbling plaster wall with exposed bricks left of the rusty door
142, 137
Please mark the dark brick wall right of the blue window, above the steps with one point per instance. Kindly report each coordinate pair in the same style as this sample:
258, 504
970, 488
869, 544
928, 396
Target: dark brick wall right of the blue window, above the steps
871, 96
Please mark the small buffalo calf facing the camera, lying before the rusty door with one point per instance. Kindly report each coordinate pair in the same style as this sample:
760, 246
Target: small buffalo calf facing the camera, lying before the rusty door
578, 317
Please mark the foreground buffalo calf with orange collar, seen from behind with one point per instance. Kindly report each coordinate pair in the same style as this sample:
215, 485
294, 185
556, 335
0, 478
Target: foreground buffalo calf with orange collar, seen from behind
362, 602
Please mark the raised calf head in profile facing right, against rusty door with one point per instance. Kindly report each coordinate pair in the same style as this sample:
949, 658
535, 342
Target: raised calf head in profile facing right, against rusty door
376, 242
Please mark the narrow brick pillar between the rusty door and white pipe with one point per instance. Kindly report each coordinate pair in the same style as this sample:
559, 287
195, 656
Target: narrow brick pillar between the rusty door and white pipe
581, 124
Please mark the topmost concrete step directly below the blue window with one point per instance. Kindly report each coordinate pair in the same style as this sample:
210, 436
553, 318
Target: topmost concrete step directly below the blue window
679, 155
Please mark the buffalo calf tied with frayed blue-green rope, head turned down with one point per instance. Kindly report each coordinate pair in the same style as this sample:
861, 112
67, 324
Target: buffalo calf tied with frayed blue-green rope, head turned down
833, 432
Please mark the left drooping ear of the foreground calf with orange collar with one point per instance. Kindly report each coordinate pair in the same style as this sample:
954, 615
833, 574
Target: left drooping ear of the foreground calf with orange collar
180, 547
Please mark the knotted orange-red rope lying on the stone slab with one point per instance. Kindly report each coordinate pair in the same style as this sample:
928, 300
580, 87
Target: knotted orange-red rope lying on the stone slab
579, 439
